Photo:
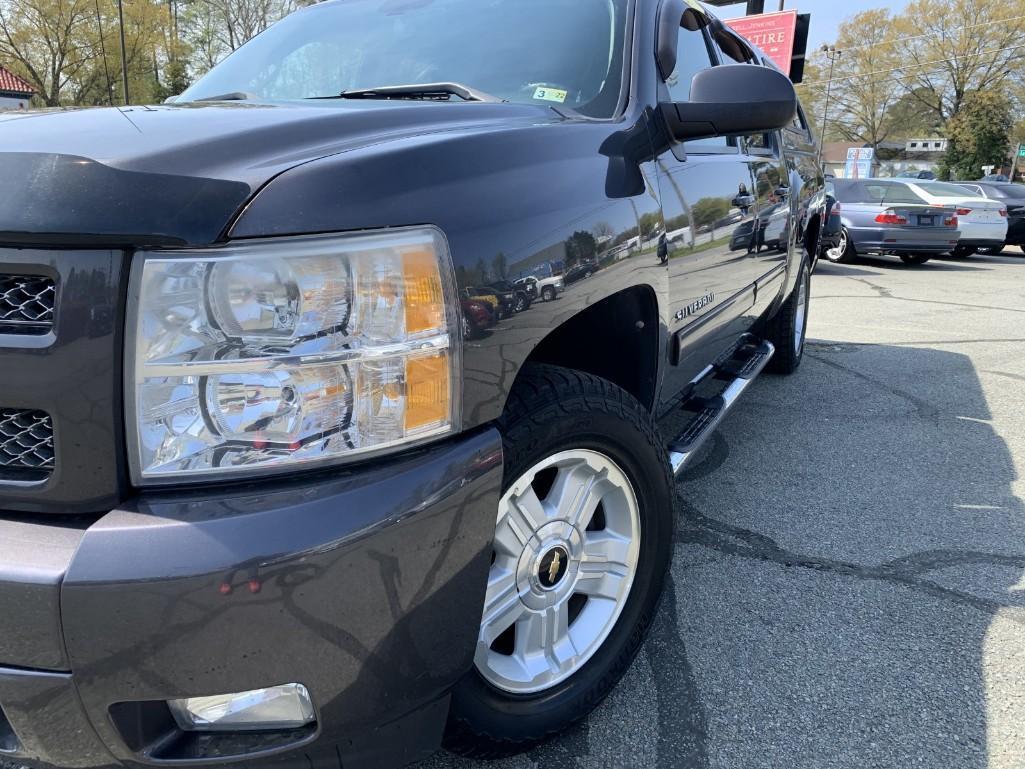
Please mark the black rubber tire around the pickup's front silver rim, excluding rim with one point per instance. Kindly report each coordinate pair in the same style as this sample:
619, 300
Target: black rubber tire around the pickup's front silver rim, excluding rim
555, 410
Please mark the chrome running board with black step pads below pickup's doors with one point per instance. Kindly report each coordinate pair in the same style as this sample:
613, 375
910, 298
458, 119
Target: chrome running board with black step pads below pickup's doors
739, 373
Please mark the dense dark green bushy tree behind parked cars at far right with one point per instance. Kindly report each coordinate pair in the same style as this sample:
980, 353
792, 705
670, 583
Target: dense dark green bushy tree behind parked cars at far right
978, 136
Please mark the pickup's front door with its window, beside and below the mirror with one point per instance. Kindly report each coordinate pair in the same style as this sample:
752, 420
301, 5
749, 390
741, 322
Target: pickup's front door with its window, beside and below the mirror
710, 205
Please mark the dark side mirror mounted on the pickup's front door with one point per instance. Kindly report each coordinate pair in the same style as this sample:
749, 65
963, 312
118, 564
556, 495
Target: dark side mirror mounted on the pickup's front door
733, 100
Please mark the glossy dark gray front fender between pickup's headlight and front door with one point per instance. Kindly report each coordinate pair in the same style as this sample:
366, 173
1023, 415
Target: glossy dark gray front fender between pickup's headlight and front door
511, 200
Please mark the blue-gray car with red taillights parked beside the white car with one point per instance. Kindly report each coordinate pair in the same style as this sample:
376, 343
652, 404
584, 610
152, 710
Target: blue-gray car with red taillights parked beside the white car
887, 217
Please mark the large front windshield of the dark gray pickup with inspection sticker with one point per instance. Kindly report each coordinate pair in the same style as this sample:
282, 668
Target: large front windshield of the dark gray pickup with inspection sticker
557, 53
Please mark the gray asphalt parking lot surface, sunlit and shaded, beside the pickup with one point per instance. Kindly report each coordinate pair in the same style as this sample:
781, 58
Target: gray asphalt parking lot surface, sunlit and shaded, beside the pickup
849, 583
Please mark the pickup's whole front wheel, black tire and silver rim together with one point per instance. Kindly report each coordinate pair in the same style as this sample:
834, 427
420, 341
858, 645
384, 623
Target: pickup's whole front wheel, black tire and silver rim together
582, 547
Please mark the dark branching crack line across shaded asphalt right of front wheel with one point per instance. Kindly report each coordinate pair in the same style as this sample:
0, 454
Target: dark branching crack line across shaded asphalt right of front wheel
907, 572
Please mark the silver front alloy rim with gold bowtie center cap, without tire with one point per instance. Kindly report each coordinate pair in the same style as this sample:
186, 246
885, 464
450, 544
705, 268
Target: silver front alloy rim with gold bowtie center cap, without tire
565, 556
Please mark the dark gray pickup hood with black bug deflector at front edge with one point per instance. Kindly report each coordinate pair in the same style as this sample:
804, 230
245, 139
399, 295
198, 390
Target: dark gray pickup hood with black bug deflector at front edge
179, 175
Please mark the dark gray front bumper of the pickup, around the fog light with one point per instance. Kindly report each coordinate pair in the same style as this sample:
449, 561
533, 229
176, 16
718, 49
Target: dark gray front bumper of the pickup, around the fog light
365, 586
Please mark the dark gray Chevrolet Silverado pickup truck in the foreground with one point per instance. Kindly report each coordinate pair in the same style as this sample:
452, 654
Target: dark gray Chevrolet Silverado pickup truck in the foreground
281, 481
